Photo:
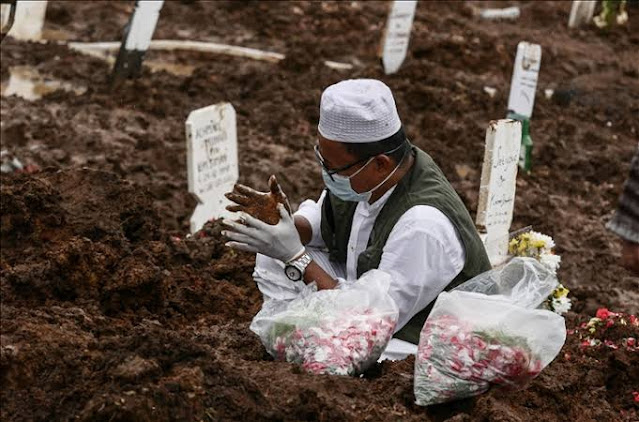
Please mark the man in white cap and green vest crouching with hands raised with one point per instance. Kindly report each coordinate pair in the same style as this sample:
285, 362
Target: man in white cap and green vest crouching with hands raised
386, 206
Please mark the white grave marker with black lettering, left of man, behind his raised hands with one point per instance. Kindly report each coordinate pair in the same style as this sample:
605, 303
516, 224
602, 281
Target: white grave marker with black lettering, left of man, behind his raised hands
211, 150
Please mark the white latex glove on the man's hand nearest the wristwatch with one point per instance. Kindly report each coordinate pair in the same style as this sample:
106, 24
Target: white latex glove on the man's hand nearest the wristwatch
280, 241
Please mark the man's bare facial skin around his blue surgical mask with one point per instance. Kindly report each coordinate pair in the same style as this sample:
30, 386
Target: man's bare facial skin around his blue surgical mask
369, 174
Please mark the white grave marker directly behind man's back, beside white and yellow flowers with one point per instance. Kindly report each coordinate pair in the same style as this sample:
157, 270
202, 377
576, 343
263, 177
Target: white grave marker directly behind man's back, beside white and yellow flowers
497, 187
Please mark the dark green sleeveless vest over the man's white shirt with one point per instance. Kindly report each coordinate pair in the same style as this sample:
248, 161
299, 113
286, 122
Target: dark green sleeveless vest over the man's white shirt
424, 184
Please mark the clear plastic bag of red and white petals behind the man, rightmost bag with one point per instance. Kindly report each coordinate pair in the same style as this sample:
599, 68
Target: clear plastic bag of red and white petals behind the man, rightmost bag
488, 333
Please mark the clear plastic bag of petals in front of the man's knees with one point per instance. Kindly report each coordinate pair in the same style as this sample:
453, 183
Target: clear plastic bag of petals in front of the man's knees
342, 331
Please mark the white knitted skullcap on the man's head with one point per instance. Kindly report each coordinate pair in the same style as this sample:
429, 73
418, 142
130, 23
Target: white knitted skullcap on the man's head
358, 111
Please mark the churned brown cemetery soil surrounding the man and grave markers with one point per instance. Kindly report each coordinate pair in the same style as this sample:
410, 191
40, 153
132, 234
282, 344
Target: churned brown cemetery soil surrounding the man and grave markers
110, 312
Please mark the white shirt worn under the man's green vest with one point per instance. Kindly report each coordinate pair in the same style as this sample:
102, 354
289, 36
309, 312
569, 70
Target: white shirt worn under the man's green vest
423, 253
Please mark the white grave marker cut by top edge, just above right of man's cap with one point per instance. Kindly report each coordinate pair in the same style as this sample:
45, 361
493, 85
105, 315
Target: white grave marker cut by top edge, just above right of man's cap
397, 34
